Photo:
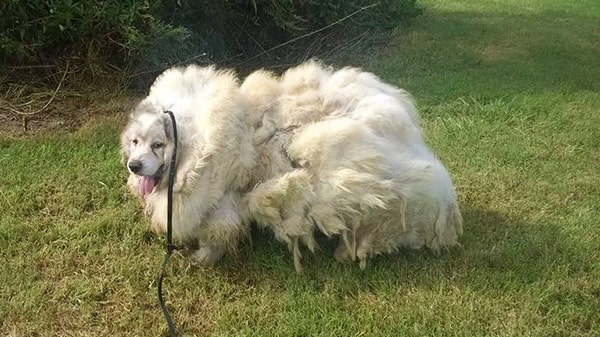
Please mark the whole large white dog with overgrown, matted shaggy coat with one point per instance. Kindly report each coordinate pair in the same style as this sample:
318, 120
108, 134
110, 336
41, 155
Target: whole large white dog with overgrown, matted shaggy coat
315, 150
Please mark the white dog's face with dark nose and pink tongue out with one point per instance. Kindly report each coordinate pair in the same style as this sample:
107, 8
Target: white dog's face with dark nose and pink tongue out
147, 147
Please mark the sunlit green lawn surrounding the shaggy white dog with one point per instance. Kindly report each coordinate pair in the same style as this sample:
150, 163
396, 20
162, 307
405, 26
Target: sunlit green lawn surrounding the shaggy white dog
510, 100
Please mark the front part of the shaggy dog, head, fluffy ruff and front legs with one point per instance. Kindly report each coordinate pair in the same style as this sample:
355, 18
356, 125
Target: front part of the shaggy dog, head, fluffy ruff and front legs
214, 158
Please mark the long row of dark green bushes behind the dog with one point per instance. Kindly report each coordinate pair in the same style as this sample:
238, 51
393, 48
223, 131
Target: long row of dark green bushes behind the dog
141, 36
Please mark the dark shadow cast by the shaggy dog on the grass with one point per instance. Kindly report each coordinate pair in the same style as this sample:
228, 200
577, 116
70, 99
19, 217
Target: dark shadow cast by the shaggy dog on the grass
497, 253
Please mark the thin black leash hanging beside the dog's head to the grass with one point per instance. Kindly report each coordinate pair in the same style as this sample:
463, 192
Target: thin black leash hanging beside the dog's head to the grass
170, 247
